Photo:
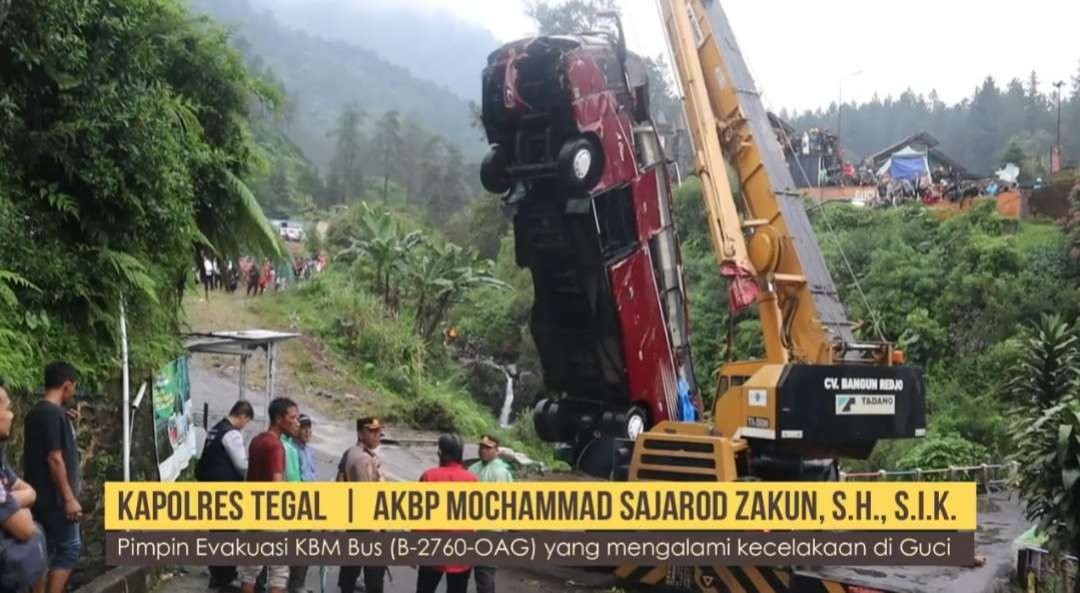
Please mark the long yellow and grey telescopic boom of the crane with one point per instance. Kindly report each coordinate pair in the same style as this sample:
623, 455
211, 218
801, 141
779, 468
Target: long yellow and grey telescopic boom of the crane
802, 315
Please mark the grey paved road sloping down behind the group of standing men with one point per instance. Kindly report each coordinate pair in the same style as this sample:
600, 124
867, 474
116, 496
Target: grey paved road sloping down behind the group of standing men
331, 437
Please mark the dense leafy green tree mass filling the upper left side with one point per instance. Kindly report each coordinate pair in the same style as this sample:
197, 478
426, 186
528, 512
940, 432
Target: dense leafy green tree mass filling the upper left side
125, 138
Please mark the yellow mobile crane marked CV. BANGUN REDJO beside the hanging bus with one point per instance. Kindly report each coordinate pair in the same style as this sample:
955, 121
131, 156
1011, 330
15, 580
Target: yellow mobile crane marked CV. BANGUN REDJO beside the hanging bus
819, 394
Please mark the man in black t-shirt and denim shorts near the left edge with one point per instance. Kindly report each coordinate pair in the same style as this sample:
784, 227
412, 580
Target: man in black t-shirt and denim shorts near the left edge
51, 466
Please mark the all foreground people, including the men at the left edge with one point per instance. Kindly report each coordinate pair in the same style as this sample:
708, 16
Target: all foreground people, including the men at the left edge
40, 513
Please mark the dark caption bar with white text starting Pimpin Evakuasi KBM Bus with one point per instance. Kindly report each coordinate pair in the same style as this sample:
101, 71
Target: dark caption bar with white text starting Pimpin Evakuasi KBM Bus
570, 549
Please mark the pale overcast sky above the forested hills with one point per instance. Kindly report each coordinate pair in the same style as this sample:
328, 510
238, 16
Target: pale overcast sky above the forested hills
801, 50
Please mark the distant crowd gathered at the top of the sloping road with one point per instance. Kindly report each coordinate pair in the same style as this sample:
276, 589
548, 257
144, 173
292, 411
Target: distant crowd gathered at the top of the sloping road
252, 276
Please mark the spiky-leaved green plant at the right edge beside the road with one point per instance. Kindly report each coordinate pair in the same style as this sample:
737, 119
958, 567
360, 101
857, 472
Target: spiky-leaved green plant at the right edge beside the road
1048, 440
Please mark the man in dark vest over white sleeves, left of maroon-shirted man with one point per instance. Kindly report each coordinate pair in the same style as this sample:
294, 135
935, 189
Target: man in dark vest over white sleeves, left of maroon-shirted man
225, 460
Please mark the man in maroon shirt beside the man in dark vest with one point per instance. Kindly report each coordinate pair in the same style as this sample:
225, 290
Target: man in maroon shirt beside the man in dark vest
267, 464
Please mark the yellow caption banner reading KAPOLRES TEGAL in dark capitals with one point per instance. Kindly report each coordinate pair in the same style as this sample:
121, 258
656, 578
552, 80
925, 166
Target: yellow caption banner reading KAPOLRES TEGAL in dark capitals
541, 506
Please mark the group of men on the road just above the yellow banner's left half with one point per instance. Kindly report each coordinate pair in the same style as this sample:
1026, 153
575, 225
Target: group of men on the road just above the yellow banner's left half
283, 454
